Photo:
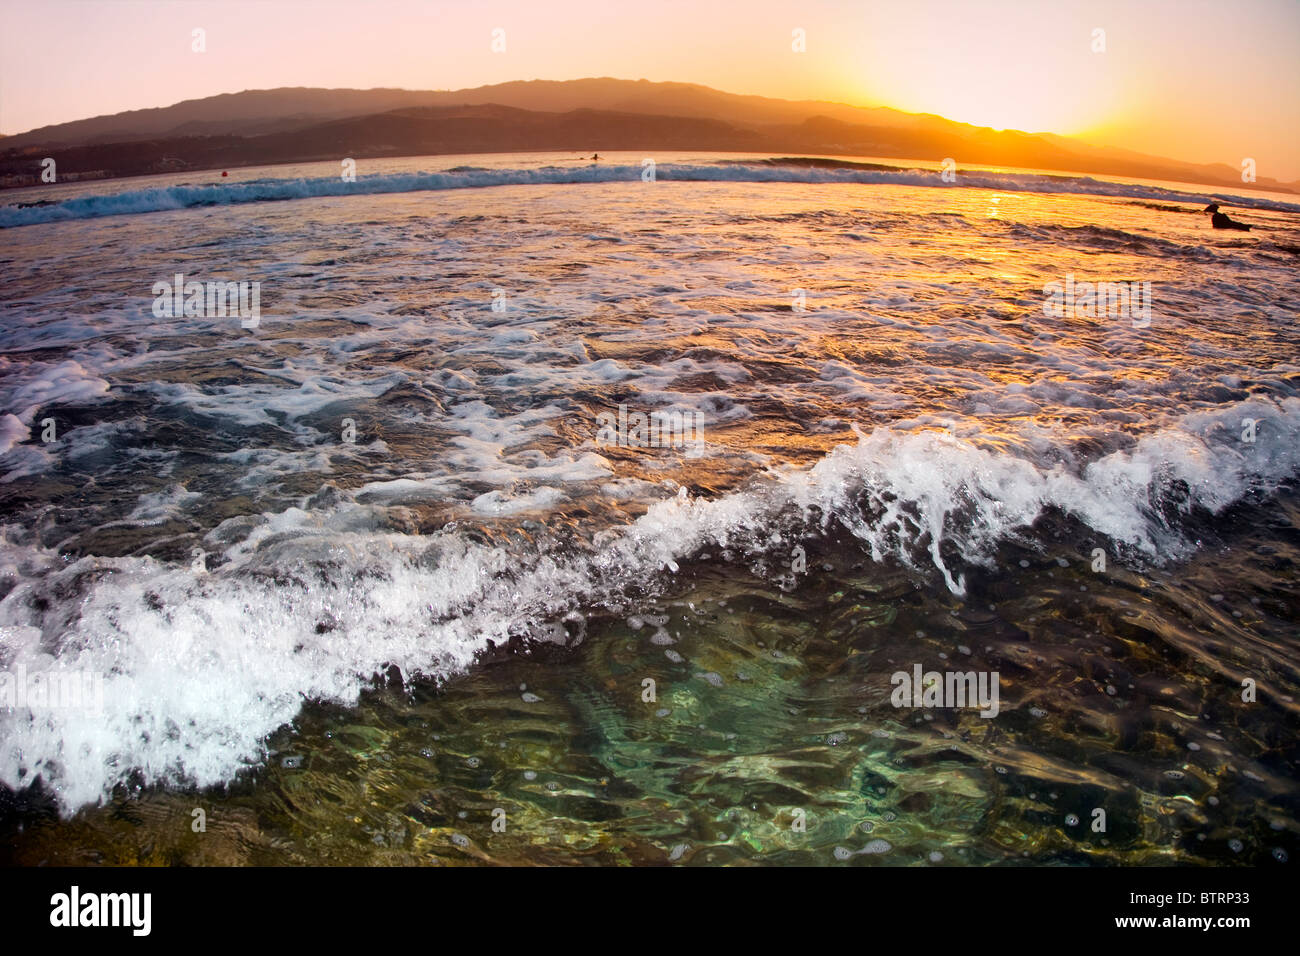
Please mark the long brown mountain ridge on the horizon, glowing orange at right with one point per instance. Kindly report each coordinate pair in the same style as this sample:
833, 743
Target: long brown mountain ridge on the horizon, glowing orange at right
301, 124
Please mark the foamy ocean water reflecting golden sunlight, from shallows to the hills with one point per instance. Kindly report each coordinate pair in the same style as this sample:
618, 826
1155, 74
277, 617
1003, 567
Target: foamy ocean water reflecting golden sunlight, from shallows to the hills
522, 509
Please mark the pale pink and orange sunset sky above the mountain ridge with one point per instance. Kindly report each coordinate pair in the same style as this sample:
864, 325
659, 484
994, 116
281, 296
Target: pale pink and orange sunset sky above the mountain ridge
1185, 79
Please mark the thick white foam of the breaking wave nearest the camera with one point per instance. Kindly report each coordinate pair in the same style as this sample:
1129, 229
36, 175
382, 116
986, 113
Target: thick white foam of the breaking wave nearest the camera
200, 668
